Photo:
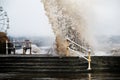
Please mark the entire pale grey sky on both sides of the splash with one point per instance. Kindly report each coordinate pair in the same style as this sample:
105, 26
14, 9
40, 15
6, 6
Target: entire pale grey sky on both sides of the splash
27, 17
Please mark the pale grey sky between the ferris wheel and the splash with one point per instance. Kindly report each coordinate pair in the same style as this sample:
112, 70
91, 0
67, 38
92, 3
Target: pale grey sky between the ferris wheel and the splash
27, 17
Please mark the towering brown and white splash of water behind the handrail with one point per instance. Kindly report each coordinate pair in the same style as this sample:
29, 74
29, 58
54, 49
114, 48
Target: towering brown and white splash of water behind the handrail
68, 19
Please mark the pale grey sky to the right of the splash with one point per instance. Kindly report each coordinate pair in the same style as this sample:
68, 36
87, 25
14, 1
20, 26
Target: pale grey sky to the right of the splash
106, 17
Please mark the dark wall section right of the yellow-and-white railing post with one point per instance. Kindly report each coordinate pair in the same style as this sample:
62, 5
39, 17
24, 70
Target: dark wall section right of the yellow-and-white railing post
105, 63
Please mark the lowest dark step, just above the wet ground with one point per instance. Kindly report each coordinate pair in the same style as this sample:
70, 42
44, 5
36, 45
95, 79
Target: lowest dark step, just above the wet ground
43, 70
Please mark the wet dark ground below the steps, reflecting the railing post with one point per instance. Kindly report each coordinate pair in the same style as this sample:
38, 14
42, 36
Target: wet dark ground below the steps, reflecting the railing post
82, 76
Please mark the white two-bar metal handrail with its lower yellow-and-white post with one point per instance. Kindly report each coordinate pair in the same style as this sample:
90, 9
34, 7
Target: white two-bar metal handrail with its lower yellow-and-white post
78, 53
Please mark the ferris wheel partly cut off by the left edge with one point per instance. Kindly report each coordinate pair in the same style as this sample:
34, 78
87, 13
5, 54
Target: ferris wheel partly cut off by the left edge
4, 20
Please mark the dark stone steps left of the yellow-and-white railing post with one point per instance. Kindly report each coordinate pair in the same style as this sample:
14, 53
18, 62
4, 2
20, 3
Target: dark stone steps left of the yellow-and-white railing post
14, 64
